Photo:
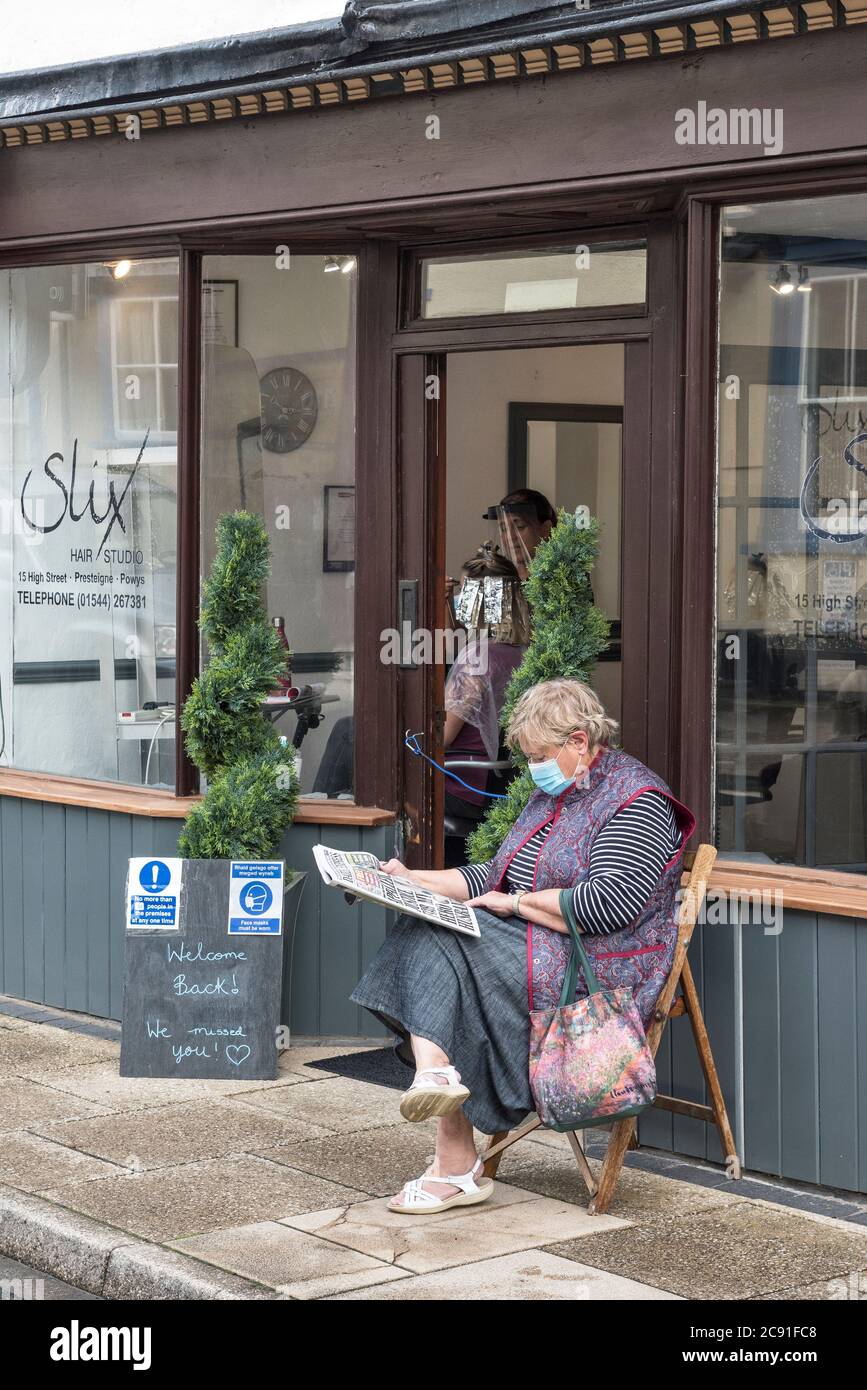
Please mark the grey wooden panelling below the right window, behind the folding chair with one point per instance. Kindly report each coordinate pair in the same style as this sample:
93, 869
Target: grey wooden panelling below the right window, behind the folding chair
800, 1003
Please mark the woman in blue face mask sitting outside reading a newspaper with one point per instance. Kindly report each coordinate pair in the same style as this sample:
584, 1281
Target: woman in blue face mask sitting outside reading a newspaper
600, 824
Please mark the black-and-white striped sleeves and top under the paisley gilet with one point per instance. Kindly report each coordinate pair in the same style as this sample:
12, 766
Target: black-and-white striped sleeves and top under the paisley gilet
626, 864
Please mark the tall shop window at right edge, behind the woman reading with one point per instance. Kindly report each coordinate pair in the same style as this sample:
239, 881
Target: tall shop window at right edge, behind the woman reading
793, 533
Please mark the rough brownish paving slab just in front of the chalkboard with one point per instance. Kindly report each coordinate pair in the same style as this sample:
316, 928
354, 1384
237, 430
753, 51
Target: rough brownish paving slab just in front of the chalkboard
177, 1135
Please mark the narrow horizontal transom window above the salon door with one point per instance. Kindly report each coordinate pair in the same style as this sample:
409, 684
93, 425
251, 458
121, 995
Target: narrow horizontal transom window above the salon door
520, 283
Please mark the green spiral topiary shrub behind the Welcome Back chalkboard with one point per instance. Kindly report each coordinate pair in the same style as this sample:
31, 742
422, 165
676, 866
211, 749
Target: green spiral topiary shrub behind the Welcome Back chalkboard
254, 783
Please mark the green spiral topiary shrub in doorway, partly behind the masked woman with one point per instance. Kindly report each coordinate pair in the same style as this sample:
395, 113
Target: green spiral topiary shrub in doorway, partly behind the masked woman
569, 635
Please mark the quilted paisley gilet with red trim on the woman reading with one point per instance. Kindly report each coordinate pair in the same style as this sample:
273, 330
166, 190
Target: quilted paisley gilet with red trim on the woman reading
638, 957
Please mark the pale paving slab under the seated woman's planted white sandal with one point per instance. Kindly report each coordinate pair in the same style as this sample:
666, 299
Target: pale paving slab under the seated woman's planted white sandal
508, 1221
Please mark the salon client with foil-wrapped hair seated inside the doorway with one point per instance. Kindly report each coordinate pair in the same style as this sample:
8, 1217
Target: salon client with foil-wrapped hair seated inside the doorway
476, 687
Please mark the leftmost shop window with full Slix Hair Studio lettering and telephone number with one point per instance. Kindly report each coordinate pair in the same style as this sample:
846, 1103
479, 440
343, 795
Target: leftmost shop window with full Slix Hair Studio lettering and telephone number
88, 516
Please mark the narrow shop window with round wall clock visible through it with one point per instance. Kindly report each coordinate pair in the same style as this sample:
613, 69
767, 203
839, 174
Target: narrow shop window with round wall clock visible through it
279, 439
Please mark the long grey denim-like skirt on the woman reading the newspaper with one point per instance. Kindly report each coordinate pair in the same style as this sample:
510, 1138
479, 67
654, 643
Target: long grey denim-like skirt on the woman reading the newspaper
468, 996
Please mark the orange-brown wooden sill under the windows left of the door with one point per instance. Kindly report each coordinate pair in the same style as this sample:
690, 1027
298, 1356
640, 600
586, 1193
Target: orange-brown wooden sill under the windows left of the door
142, 801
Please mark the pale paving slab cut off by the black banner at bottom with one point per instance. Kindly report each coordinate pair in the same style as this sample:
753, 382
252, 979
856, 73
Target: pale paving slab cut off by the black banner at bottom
527, 1277
